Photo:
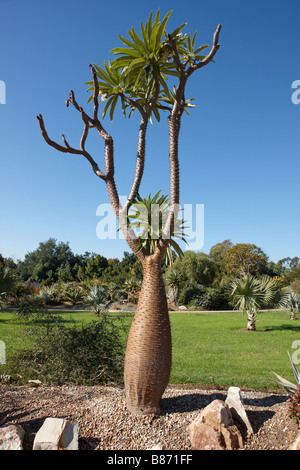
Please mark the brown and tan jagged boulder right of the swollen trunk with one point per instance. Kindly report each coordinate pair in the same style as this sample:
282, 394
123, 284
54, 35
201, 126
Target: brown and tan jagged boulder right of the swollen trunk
214, 429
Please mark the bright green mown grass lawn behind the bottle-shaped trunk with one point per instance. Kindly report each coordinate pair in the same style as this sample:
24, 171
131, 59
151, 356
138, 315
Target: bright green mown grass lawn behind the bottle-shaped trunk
209, 349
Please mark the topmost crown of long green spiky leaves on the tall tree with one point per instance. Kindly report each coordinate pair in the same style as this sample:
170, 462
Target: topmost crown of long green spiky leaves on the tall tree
139, 77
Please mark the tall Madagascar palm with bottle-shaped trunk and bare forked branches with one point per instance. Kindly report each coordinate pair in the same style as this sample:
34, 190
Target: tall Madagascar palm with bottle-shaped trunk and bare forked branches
148, 76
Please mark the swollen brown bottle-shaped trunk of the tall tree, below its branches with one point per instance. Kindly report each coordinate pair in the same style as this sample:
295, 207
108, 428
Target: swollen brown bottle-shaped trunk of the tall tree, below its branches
148, 353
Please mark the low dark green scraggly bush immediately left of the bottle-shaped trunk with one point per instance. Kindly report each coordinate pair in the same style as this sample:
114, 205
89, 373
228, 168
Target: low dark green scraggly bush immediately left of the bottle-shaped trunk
91, 353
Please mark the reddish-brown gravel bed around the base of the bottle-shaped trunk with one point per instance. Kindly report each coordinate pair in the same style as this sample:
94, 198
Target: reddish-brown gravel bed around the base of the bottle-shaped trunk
105, 423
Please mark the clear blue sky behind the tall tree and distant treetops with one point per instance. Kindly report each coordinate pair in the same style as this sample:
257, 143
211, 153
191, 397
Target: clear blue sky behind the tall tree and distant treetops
239, 149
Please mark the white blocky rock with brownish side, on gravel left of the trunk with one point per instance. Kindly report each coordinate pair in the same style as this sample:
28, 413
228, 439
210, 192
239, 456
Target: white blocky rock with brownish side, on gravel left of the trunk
57, 434
